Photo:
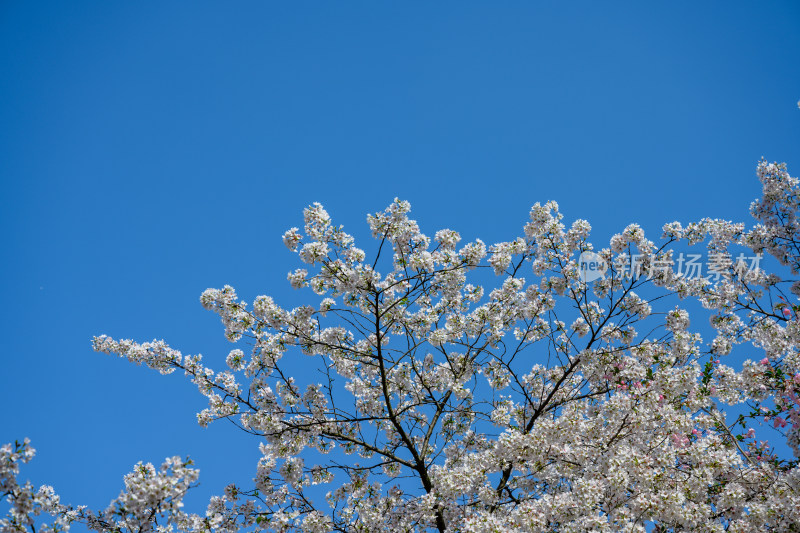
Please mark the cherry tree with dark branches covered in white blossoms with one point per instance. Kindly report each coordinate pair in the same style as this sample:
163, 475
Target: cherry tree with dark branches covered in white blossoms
492, 388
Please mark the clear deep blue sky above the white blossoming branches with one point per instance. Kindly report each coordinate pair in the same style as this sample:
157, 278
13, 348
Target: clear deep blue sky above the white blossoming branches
151, 150
